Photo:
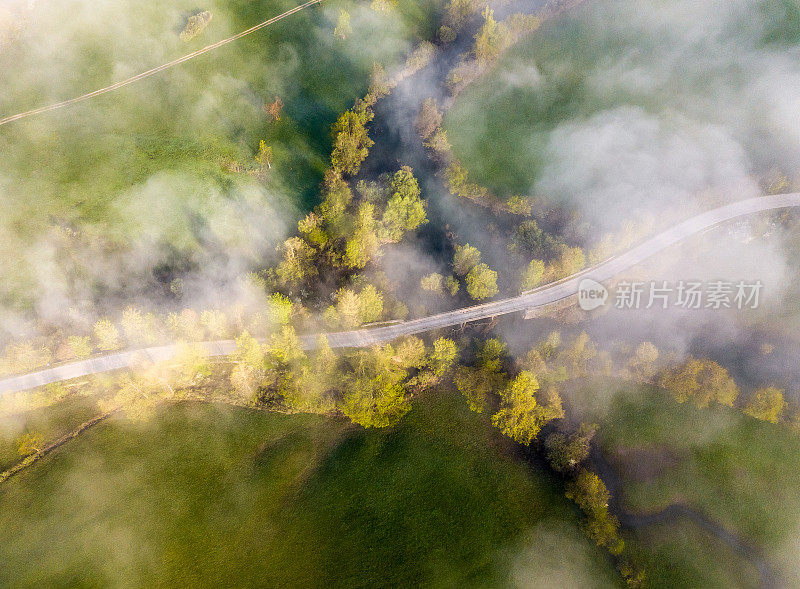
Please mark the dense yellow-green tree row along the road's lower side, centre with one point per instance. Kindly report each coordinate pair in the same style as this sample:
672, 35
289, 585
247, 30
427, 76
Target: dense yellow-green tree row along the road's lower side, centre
373, 387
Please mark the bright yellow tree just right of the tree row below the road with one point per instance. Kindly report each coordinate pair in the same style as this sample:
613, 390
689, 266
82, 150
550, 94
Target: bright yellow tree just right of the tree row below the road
521, 416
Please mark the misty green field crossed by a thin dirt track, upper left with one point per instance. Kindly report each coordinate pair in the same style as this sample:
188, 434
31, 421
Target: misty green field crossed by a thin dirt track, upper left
98, 195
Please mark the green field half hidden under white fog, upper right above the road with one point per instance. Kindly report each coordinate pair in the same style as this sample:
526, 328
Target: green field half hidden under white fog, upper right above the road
609, 90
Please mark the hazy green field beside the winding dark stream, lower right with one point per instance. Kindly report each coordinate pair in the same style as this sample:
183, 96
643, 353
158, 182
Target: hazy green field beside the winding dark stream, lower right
742, 473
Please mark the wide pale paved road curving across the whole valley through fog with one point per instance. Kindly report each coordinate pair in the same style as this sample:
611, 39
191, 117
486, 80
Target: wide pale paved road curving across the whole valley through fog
540, 297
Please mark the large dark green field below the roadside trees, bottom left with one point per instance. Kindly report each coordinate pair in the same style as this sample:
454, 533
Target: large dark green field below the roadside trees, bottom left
208, 495
